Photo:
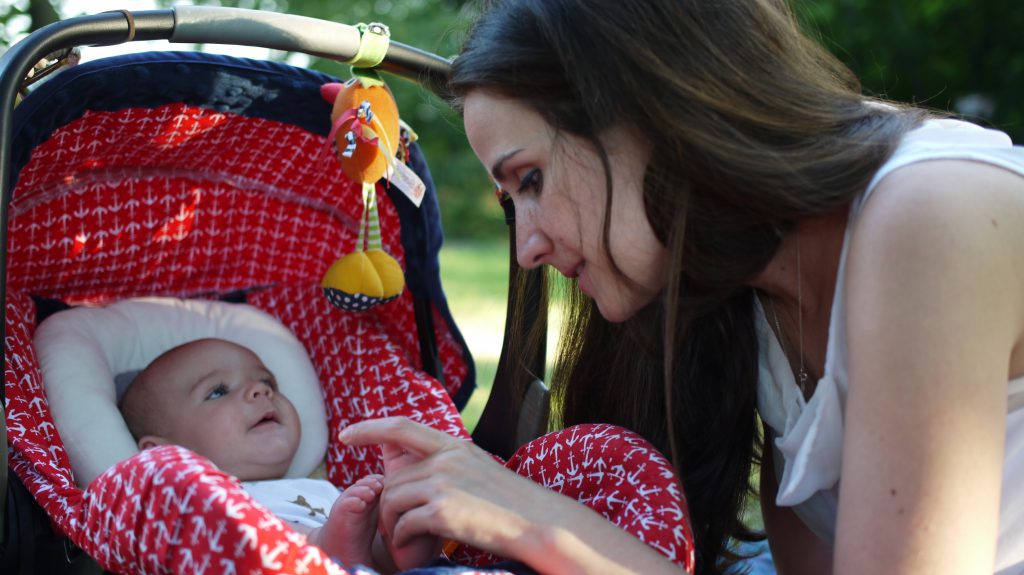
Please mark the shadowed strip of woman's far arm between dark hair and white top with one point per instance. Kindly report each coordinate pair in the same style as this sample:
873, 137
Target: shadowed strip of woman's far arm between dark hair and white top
795, 549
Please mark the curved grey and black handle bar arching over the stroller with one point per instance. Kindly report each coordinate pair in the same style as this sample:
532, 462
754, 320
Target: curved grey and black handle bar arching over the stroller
194, 25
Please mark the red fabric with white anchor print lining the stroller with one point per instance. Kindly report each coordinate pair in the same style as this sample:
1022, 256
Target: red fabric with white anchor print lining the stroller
133, 215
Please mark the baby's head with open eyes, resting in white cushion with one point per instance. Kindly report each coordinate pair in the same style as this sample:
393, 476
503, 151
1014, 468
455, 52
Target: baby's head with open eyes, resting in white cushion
219, 400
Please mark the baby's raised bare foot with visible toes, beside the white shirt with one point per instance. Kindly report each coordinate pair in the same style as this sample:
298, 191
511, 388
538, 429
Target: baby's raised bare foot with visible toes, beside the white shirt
350, 532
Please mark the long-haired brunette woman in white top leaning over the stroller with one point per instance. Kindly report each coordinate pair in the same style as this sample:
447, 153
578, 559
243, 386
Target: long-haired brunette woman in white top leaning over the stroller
702, 170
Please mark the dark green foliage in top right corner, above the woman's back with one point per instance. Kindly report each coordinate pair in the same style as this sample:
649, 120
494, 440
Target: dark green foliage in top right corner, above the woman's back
965, 57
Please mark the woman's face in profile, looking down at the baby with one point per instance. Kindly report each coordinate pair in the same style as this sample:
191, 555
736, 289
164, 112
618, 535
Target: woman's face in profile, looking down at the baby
559, 187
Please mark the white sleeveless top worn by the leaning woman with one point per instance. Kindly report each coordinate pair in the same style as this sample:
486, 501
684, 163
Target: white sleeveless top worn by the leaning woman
808, 449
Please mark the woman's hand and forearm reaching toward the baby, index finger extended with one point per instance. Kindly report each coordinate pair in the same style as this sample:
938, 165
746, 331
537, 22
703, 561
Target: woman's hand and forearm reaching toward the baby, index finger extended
460, 493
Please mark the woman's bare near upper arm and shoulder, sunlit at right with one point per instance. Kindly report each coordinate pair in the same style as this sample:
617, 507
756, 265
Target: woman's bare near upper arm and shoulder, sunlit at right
935, 313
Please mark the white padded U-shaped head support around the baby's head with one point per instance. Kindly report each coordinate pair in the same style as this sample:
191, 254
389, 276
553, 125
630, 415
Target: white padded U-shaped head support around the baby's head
81, 350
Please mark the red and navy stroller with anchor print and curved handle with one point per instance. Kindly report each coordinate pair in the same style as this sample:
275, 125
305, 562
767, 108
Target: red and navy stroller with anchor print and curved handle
203, 178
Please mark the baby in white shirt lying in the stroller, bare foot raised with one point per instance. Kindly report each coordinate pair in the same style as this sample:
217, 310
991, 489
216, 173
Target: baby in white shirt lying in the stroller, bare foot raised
219, 400
